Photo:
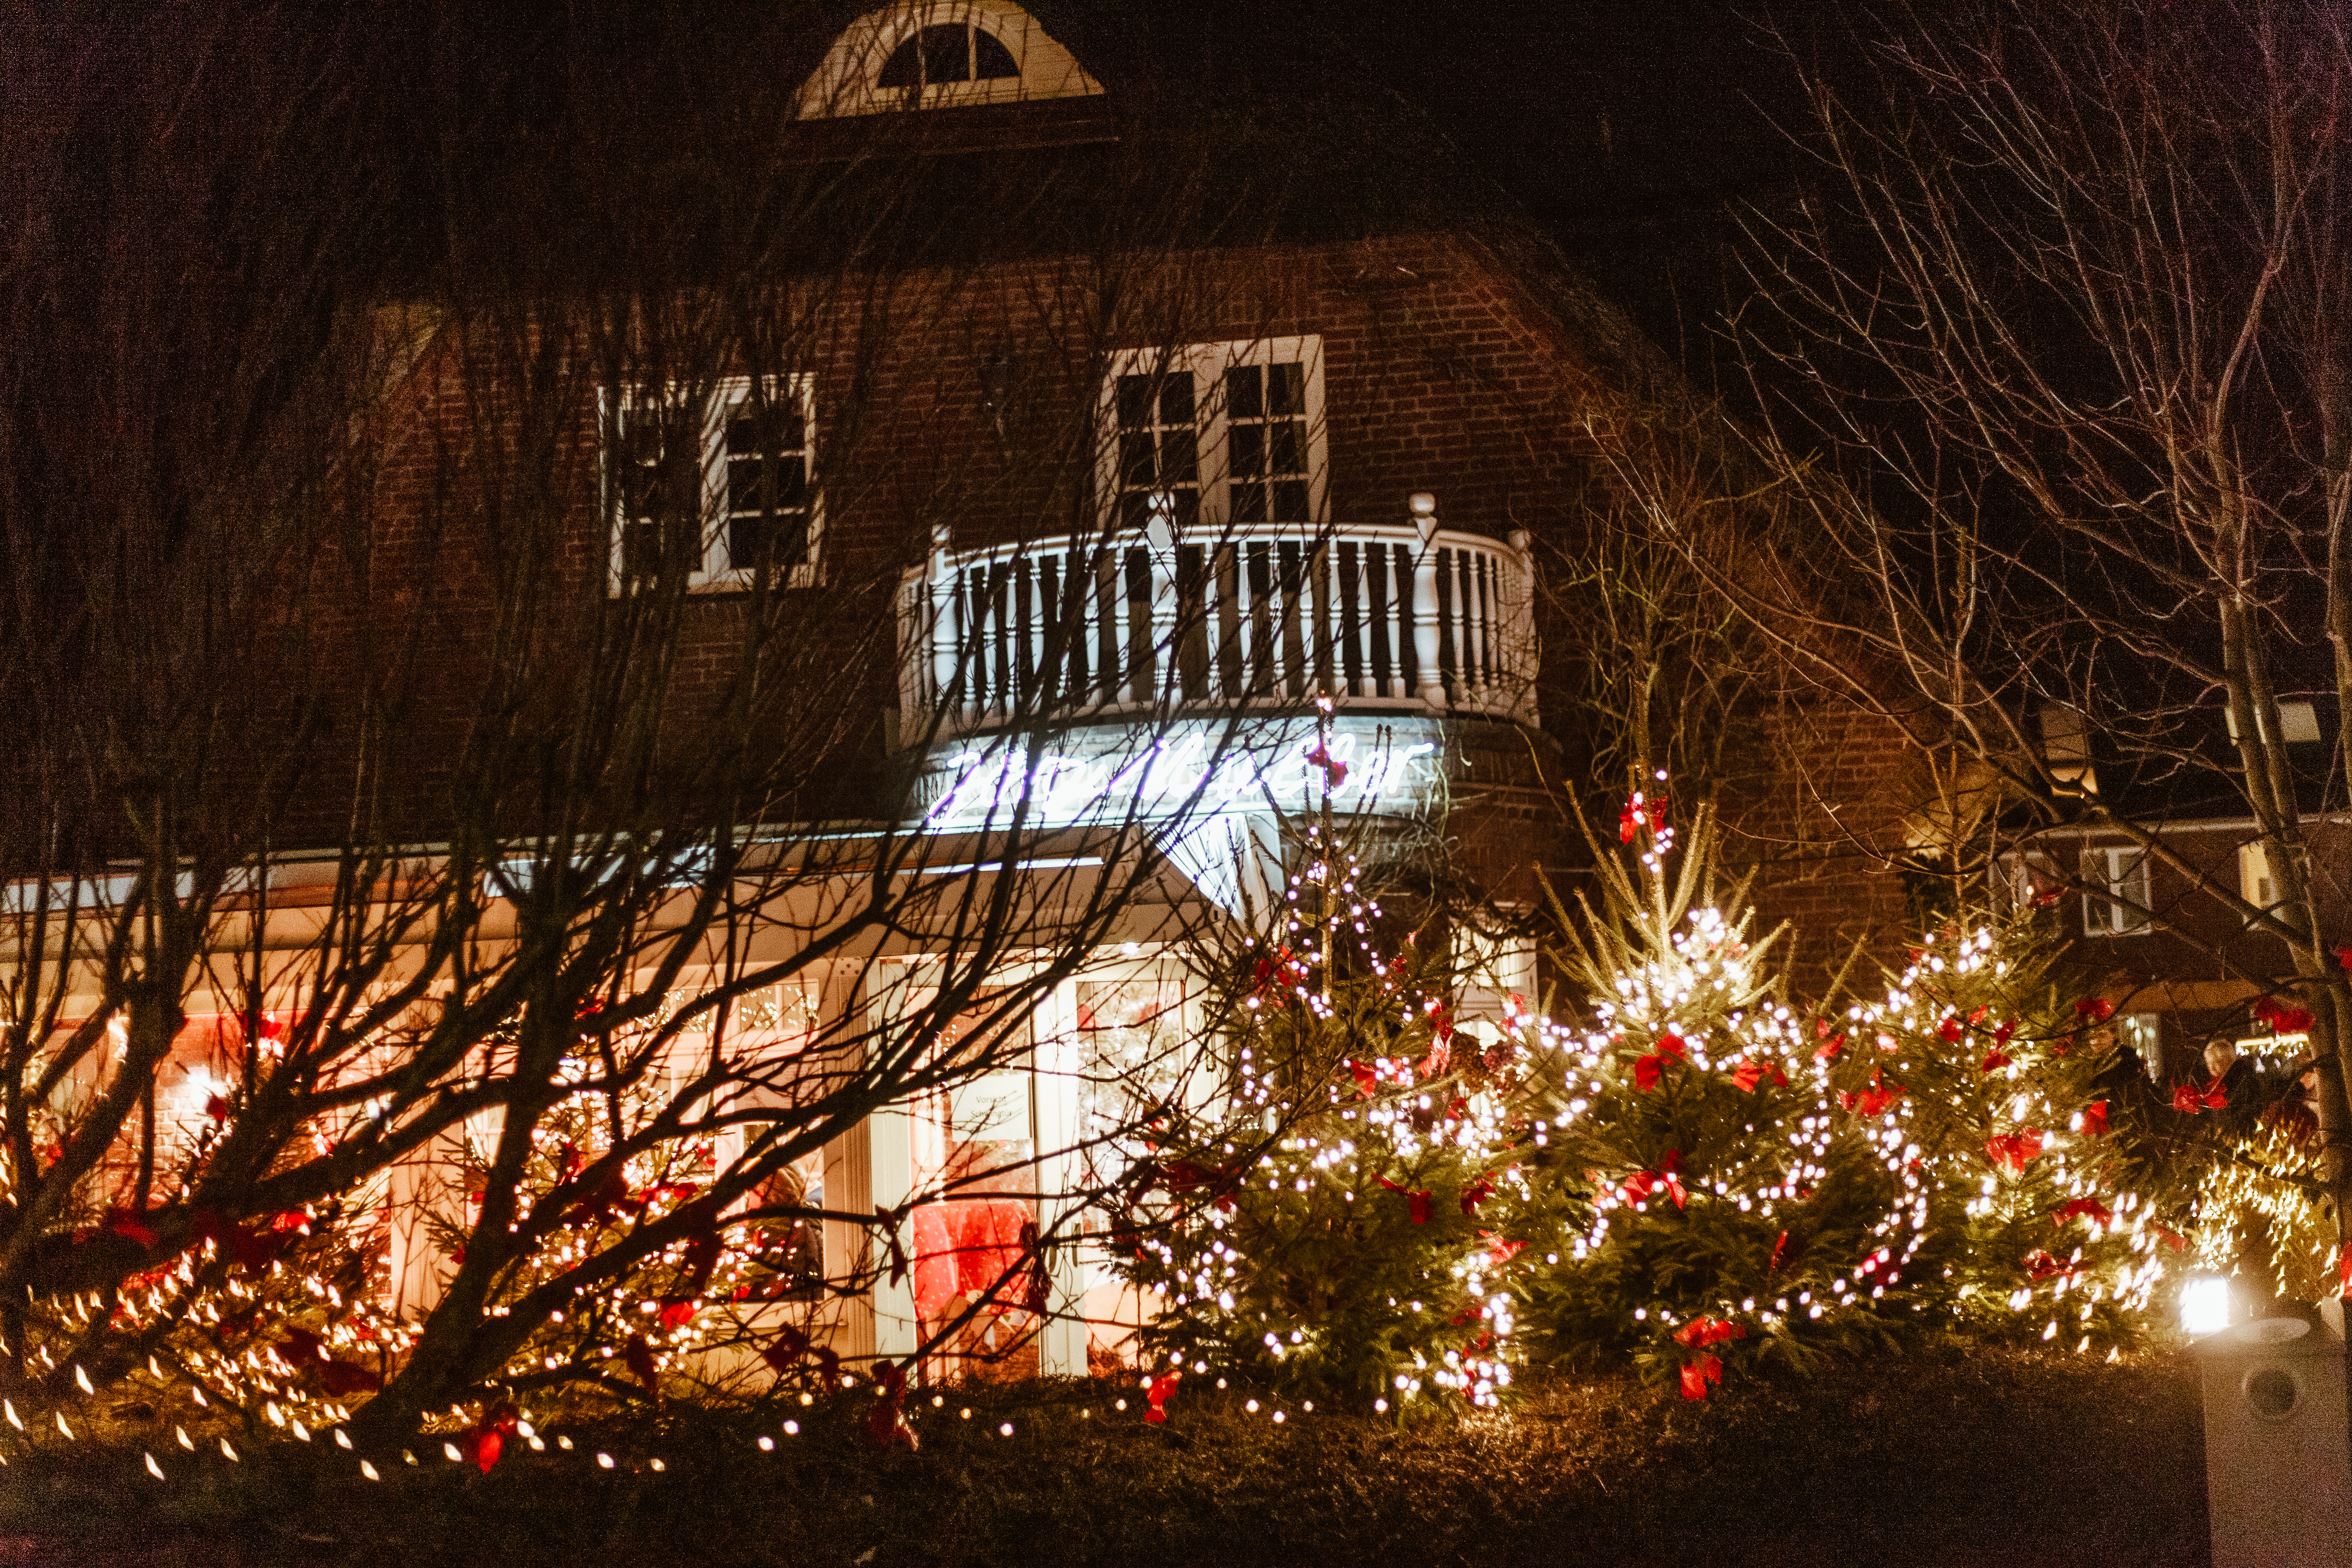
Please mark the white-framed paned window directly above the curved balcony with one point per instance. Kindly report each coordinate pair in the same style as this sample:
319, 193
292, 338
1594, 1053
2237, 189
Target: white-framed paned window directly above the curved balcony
1217, 436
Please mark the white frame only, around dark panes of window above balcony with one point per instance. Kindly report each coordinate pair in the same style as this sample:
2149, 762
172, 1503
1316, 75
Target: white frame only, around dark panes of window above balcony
1208, 363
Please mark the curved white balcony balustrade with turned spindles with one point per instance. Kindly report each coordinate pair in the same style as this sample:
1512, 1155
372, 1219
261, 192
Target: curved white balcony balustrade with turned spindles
1401, 617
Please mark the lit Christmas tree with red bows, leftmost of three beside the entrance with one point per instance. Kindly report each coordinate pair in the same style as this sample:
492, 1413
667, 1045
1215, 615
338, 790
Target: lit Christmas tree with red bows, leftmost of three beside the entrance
1349, 1207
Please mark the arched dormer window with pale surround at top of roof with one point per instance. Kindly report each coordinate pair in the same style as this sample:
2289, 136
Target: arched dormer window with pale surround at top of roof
942, 55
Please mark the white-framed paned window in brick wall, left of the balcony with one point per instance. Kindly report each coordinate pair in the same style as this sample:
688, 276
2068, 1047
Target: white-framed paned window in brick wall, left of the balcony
716, 483
